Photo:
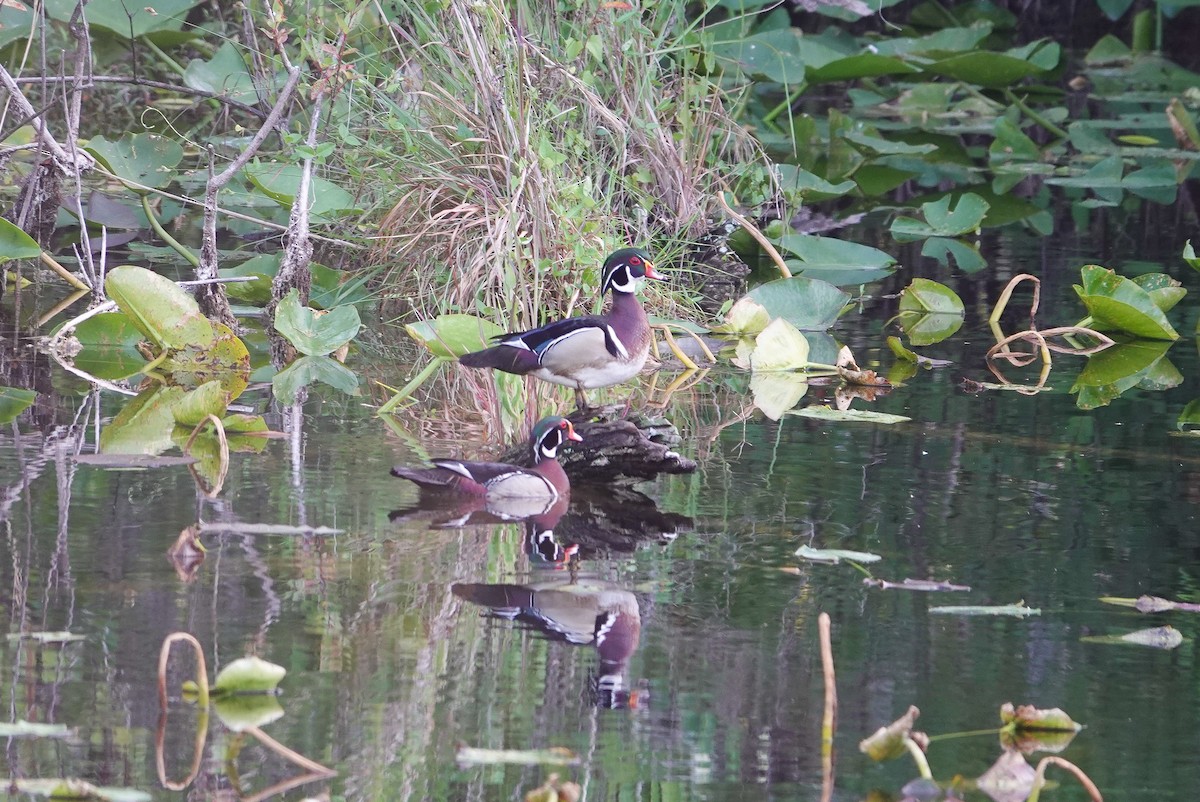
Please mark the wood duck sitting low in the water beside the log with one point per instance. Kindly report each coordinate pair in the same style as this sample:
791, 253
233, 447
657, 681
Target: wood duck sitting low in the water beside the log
545, 481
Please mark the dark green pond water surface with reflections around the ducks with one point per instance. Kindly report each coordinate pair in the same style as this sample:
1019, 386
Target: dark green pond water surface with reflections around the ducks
389, 672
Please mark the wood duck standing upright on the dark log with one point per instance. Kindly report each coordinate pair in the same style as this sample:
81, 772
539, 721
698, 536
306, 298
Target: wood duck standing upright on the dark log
590, 351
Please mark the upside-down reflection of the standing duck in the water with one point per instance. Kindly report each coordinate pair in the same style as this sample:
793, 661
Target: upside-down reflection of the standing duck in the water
578, 612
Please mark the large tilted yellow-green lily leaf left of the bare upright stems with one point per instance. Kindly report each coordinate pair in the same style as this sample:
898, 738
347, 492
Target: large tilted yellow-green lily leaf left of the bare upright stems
160, 309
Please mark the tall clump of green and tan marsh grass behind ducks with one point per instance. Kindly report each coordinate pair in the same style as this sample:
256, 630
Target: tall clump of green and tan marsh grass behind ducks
531, 140
